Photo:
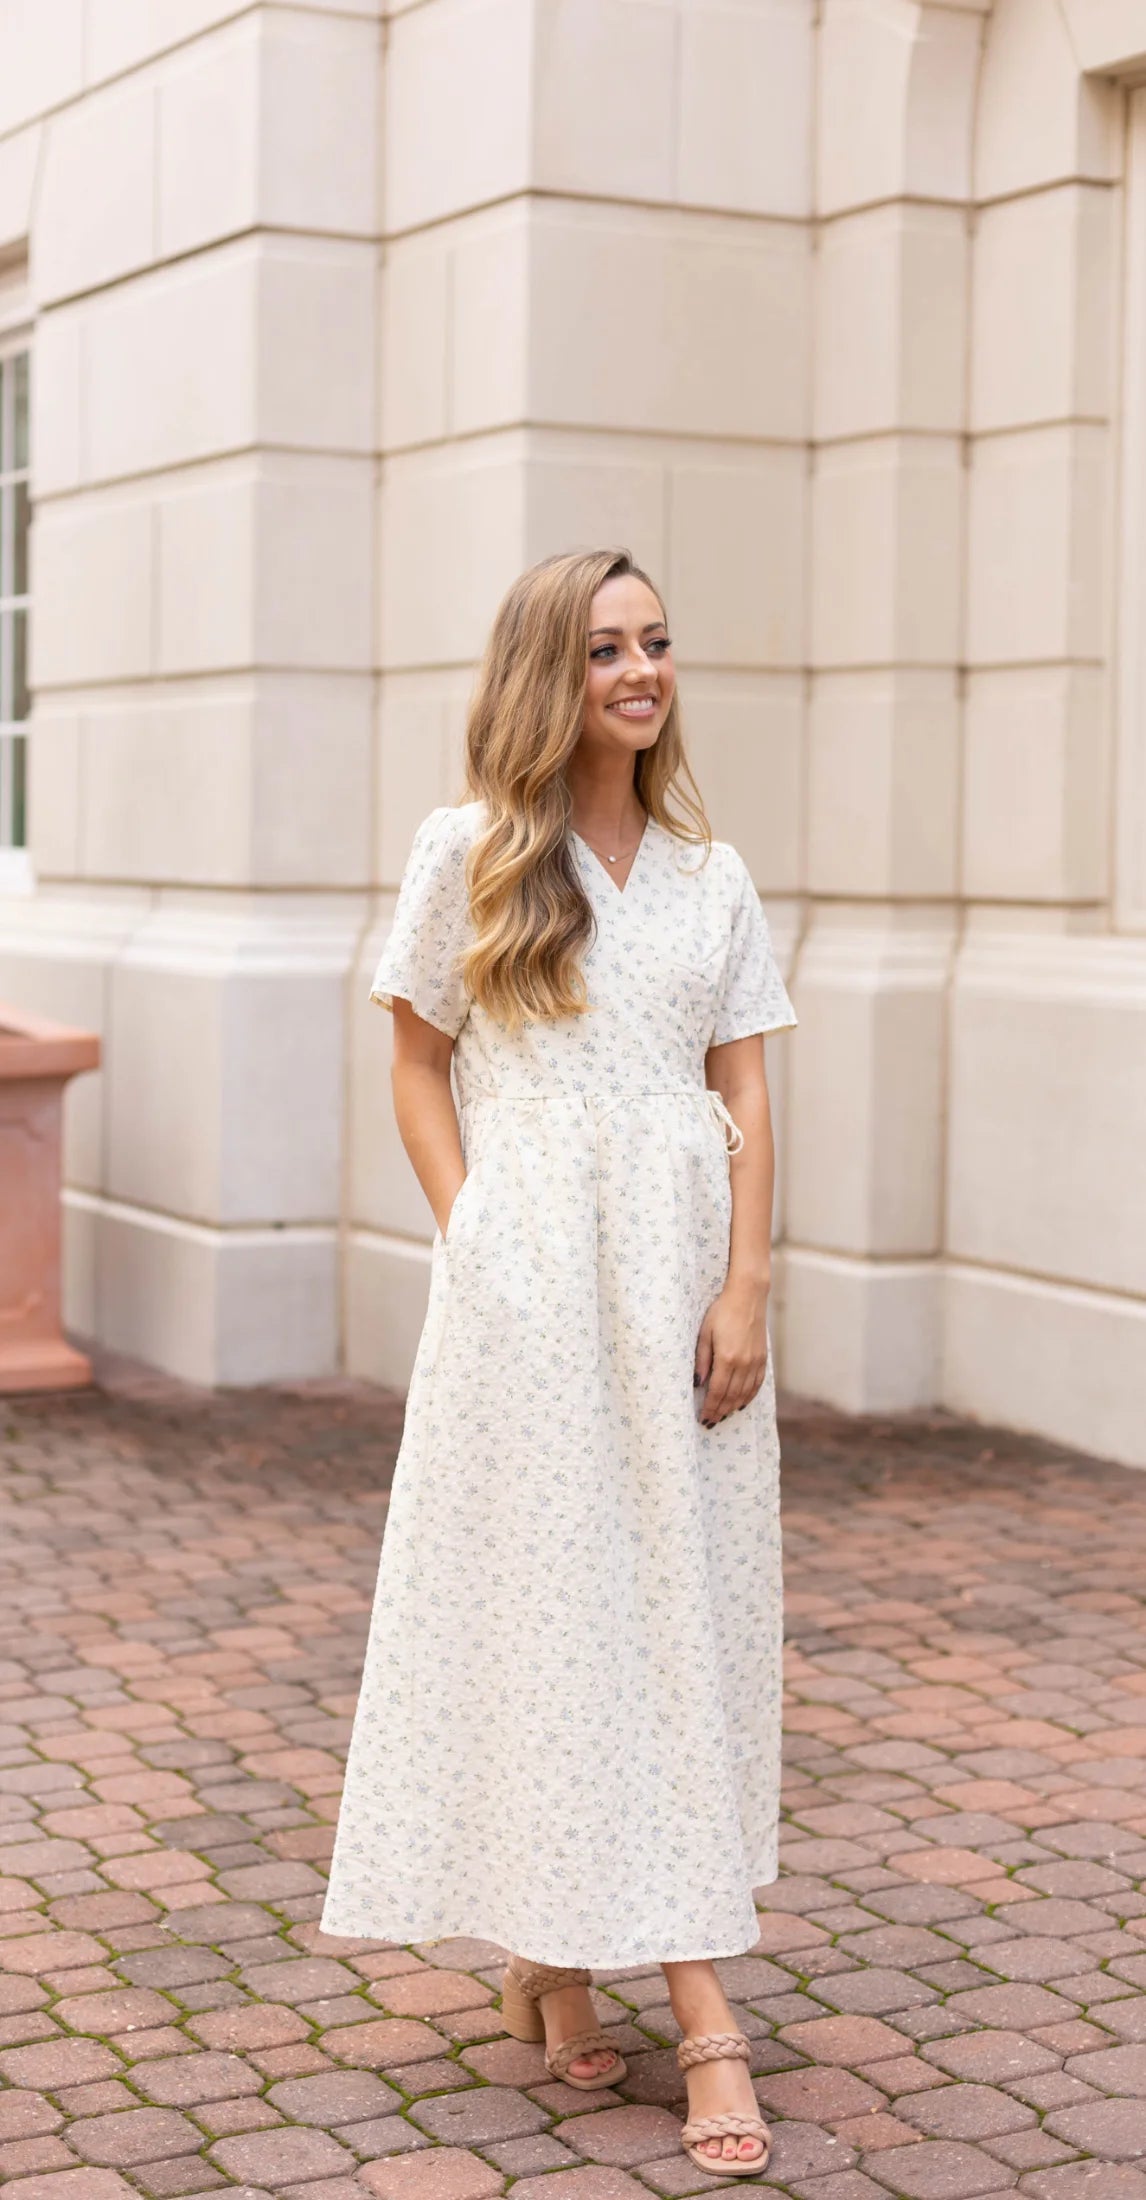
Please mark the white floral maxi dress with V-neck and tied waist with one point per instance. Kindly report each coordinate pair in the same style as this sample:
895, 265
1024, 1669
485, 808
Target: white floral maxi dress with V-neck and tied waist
569, 1726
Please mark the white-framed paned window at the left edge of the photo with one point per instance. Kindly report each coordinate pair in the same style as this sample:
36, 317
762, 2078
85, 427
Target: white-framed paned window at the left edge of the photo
14, 591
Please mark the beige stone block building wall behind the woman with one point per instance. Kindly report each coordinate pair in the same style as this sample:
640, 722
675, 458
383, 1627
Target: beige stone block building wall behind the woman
333, 318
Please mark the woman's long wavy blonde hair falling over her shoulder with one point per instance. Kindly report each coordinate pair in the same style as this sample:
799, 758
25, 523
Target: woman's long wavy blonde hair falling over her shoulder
529, 907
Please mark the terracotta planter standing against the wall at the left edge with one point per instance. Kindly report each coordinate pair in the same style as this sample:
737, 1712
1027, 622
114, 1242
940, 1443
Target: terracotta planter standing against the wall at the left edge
36, 1061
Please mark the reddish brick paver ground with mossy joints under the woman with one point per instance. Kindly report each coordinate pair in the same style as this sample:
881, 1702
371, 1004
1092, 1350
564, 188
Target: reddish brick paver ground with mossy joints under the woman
947, 1994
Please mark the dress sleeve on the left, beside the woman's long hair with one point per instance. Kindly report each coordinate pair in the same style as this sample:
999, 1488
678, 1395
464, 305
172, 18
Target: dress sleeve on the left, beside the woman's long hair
423, 956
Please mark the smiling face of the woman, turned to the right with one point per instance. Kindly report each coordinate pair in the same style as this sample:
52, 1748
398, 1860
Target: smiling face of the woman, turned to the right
632, 679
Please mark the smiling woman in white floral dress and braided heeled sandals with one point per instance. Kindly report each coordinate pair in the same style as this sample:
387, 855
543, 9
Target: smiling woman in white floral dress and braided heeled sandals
569, 1728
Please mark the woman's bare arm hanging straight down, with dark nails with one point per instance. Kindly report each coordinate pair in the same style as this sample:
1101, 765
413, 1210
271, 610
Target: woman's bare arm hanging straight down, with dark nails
734, 1339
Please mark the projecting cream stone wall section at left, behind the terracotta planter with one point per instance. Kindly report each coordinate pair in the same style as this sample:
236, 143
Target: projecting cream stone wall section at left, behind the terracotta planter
201, 212
